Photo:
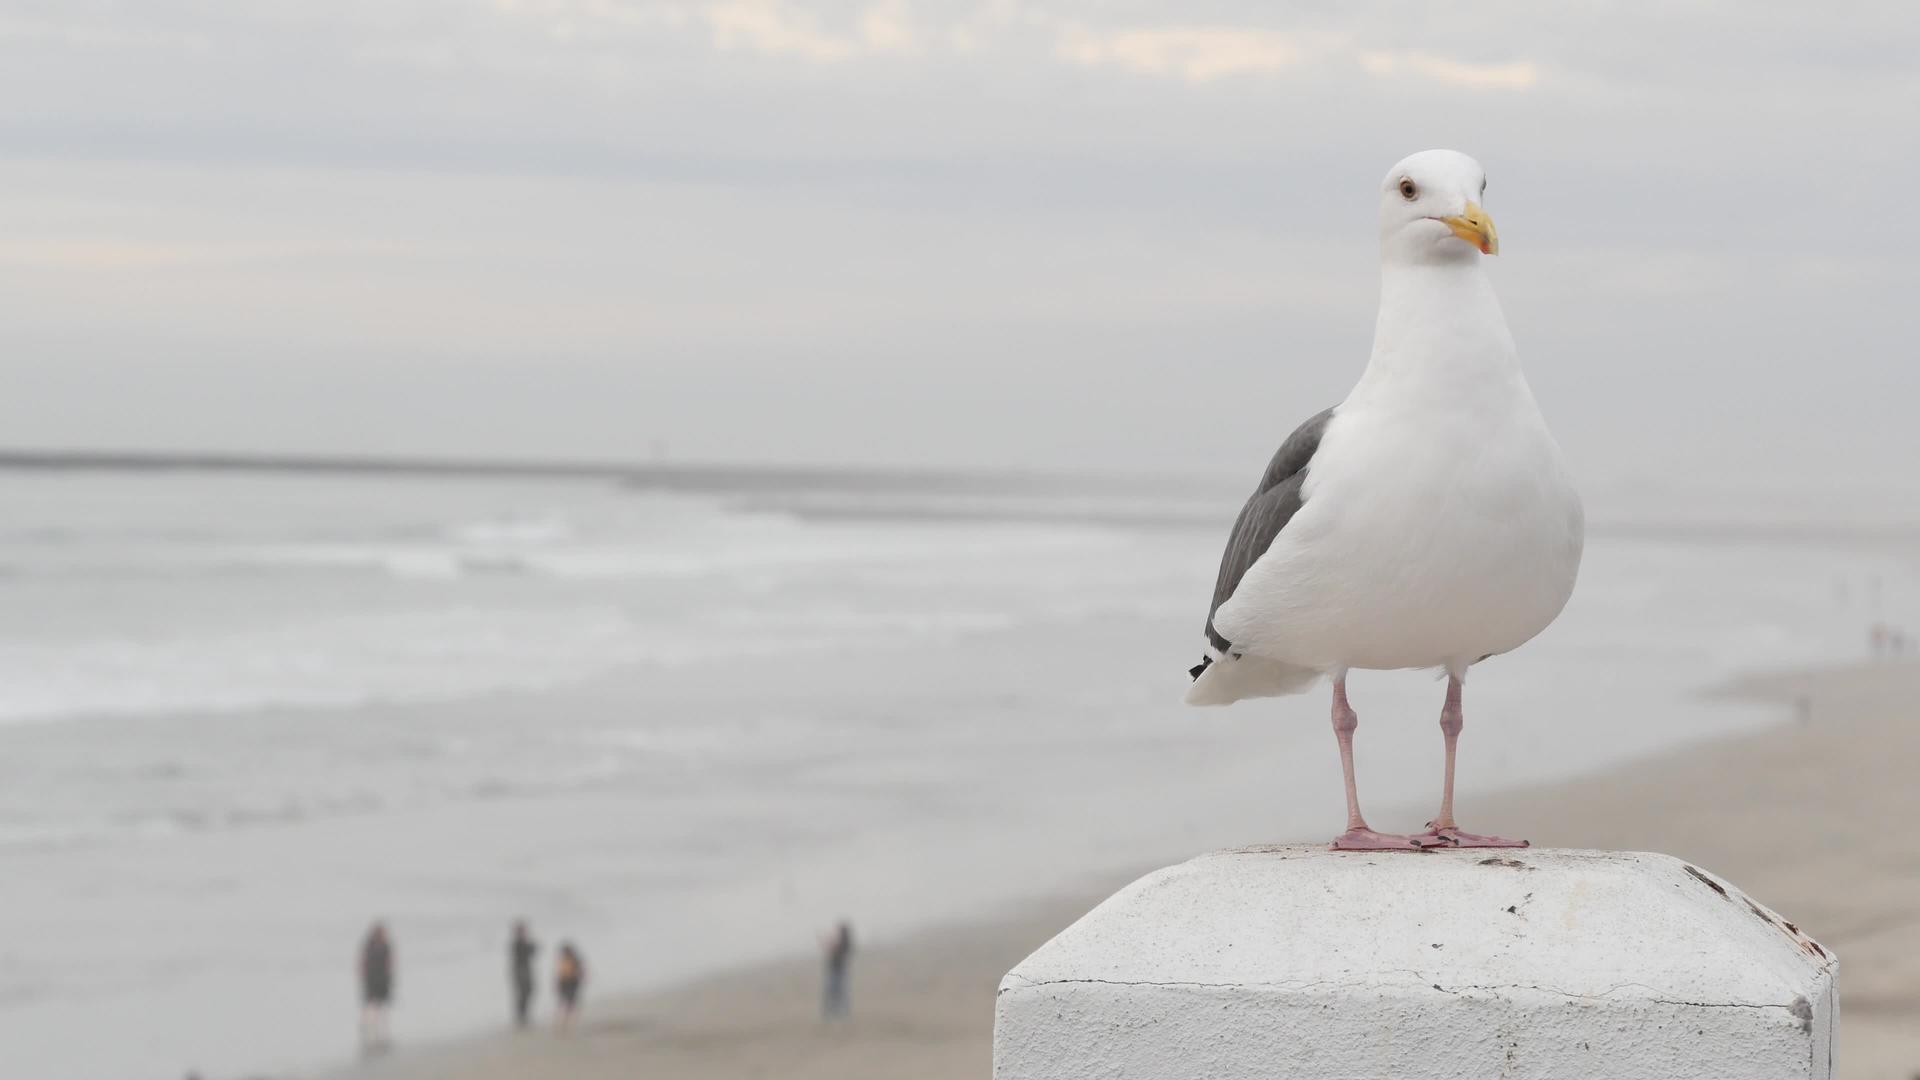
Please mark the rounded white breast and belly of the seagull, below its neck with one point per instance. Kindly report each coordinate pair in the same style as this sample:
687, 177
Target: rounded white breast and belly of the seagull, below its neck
1435, 531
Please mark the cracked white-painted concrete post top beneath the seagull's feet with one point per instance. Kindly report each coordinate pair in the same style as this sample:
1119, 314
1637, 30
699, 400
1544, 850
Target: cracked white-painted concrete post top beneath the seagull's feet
1525, 966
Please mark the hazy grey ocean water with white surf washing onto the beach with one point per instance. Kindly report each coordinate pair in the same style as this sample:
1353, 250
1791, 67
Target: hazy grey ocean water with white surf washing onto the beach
692, 724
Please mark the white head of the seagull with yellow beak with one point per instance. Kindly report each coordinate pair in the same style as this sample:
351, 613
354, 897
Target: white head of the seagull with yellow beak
1431, 210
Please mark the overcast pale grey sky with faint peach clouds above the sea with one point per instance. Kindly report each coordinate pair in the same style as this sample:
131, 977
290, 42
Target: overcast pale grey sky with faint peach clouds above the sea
915, 232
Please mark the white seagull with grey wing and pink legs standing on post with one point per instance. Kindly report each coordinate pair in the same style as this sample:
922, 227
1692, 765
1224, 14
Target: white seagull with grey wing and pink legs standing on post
1428, 522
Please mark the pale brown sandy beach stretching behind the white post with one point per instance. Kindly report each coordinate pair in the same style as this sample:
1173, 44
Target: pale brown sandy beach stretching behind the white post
1810, 818
